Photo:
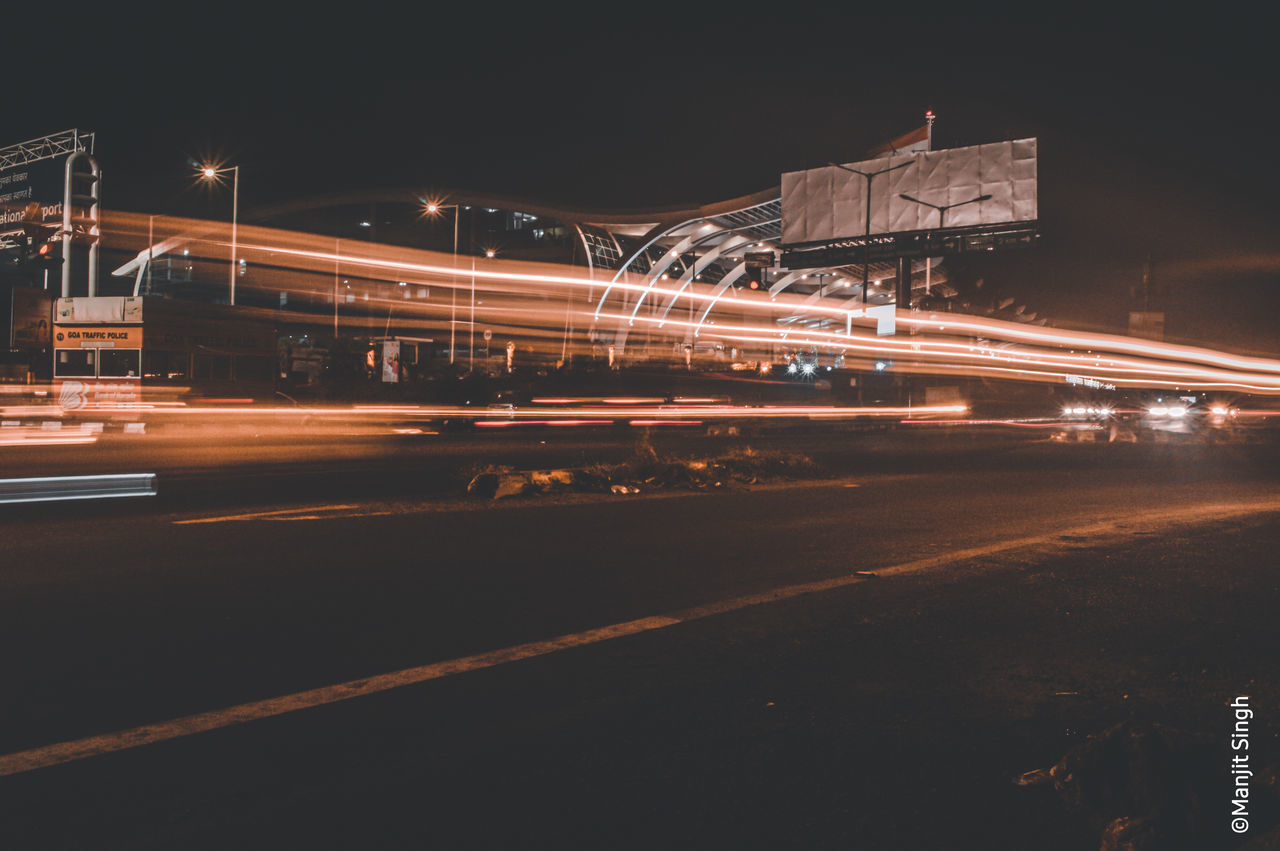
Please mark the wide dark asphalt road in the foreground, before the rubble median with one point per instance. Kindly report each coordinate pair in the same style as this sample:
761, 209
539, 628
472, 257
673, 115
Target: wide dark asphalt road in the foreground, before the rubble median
761, 693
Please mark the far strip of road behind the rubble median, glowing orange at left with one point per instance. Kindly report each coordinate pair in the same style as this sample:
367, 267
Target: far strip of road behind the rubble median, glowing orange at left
259, 464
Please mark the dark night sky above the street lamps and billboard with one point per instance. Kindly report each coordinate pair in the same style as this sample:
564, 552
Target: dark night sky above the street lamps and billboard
1155, 131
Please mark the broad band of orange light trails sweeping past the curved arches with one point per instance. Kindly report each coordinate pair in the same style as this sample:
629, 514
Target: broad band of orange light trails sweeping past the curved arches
550, 309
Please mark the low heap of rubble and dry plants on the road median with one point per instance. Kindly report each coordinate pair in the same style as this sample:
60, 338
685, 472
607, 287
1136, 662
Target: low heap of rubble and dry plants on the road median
647, 472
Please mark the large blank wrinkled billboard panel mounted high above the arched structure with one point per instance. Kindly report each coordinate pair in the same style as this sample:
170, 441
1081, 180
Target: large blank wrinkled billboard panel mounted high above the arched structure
981, 185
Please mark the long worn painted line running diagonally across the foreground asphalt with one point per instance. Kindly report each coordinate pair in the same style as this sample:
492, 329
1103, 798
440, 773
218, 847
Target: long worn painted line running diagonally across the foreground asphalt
58, 754
